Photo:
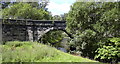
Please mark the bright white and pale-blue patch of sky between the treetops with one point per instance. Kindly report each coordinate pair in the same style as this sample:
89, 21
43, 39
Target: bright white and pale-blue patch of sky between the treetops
58, 7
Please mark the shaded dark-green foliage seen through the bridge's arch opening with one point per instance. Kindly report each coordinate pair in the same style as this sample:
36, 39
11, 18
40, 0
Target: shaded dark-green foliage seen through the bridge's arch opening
53, 38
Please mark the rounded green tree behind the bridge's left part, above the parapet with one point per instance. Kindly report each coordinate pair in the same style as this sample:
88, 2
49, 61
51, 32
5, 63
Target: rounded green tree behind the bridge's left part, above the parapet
25, 11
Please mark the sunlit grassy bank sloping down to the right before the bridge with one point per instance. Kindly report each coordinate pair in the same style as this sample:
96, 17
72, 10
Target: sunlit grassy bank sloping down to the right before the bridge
35, 52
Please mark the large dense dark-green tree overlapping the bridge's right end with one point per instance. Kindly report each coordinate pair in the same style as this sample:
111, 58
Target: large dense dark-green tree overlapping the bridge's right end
92, 22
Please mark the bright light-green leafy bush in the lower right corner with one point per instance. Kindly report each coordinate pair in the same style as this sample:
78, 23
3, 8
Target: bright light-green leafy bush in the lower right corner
110, 50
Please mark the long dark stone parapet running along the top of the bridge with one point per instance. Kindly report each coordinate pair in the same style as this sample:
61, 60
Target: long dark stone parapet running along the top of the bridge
34, 22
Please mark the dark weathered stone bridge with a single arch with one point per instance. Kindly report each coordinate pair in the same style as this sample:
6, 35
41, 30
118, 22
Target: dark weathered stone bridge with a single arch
29, 30
